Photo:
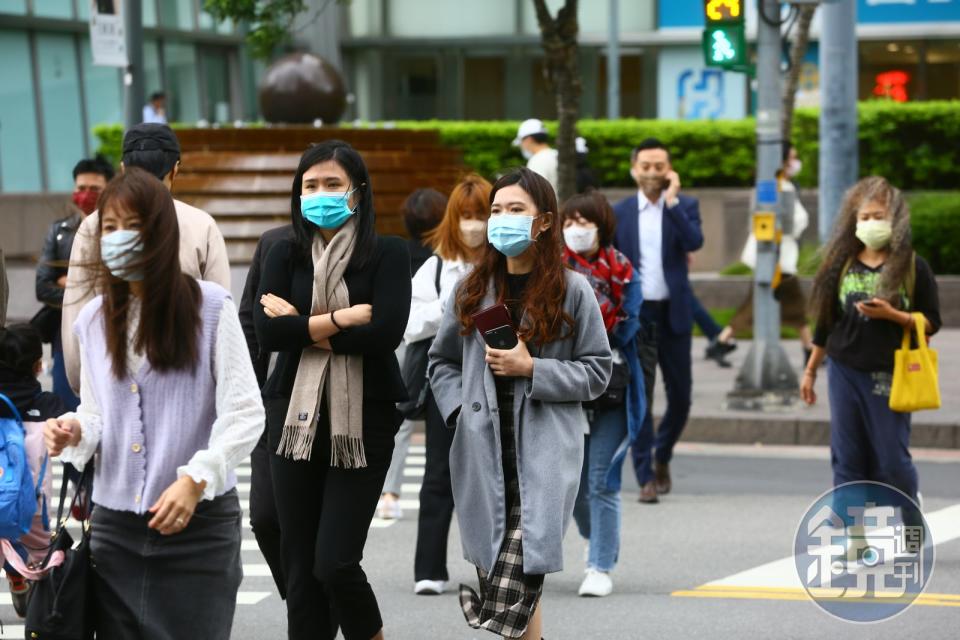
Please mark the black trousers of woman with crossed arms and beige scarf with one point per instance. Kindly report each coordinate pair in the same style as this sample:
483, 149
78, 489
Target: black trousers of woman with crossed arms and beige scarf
325, 513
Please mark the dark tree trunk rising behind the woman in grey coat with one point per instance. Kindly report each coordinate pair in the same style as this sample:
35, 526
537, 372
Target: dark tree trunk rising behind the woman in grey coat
559, 39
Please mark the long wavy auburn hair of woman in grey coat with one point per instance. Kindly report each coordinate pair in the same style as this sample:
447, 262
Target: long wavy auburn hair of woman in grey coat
547, 287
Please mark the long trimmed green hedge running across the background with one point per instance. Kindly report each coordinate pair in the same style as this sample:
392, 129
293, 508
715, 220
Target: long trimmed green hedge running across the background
917, 145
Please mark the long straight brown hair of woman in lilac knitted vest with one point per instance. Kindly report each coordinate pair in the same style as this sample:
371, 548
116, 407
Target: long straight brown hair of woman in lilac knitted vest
169, 331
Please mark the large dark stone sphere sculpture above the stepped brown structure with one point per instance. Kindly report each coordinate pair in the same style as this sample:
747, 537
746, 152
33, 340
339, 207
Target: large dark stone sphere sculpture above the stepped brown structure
301, 88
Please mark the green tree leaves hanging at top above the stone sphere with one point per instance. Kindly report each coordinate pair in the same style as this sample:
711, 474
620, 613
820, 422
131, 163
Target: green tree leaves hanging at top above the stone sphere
270, 22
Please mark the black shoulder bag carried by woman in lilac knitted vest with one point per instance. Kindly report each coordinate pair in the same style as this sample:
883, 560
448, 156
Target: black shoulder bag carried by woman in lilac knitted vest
61, 602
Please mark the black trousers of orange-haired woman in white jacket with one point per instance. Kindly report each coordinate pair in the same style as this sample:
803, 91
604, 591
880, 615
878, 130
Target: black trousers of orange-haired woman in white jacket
436, 500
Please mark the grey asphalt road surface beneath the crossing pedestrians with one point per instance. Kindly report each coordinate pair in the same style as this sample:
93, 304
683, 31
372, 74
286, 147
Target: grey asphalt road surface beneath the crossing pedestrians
733, 509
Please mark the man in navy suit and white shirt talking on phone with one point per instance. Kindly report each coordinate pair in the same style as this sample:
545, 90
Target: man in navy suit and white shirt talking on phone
656, 229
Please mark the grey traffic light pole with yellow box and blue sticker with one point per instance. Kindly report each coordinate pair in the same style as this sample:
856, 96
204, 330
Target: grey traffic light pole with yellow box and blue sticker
767, 381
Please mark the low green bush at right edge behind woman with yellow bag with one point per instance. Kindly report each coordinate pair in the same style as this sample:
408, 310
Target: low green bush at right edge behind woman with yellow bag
935, 222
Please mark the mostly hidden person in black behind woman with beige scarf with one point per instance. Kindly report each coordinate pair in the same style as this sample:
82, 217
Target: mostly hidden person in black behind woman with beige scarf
263, 509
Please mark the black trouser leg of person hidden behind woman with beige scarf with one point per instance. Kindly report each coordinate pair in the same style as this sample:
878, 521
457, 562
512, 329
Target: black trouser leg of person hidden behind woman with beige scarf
263, 513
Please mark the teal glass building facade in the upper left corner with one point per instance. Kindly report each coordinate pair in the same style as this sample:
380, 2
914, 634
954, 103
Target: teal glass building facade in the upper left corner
52, 95
